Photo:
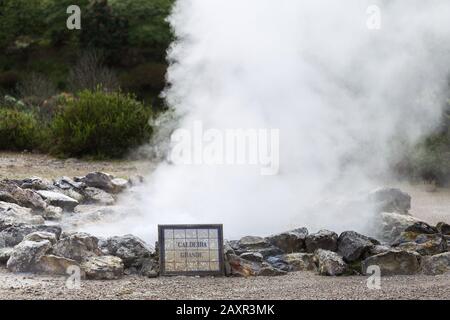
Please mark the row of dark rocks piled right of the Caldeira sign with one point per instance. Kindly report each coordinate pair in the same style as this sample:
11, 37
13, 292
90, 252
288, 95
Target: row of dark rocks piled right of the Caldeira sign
407, 246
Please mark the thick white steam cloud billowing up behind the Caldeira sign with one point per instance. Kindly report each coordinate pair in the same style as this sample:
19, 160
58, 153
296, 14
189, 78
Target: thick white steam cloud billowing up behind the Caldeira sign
344, 97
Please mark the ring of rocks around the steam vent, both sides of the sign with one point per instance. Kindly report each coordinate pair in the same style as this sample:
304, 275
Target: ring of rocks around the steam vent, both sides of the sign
31, 240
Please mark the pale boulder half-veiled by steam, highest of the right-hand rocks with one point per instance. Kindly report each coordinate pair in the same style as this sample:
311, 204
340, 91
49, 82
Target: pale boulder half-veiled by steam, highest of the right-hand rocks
390, 200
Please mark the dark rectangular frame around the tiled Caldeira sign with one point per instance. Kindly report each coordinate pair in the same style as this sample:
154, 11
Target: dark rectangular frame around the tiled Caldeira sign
162, 251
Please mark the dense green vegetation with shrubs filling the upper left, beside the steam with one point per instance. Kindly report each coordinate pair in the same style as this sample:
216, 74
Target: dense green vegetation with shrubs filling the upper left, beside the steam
46, 70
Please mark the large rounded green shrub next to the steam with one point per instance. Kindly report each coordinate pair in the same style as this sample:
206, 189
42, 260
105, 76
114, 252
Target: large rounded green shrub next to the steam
100, 124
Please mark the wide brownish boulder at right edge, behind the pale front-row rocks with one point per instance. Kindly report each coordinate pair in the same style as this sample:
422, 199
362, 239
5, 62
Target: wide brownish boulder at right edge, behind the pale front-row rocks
424, 244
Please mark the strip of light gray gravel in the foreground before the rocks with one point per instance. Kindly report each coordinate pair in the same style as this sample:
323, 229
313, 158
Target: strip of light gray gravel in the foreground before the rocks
299, 285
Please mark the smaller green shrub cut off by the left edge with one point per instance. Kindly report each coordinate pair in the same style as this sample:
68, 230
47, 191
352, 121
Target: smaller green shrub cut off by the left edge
19, 130
